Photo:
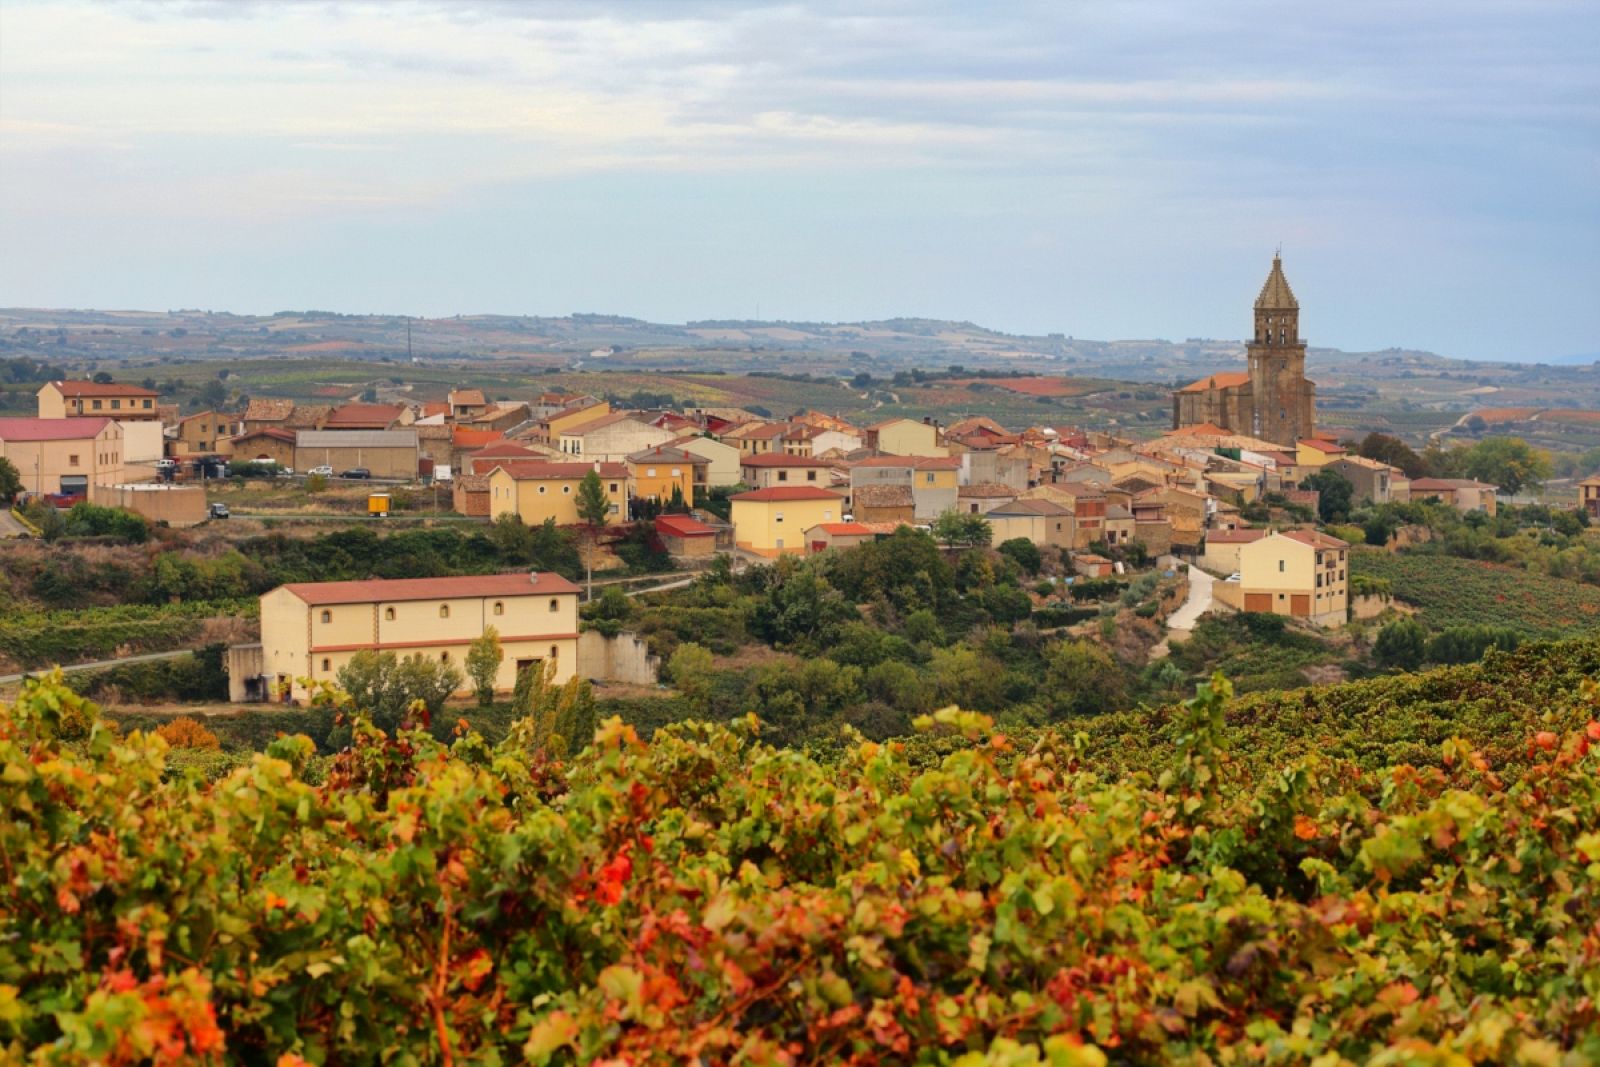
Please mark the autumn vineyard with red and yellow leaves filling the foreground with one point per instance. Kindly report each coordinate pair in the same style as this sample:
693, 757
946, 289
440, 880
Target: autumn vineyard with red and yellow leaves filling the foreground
710, 898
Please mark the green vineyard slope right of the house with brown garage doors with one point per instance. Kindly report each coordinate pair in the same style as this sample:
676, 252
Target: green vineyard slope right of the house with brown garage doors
1450, 591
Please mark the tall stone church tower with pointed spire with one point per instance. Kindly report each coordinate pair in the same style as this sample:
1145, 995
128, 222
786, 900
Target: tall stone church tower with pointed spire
1286, 404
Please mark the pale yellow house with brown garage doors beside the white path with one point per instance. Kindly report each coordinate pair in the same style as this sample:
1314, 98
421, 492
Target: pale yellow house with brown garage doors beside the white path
1300, 573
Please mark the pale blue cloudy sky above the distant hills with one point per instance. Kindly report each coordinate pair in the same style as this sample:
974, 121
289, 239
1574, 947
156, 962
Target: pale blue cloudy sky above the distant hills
1095, 169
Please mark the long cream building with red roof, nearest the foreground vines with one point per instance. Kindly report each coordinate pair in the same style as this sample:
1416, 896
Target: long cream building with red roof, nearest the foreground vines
313, 629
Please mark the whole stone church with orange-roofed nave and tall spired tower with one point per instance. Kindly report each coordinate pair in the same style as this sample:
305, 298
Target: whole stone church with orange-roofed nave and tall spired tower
1271, 401
